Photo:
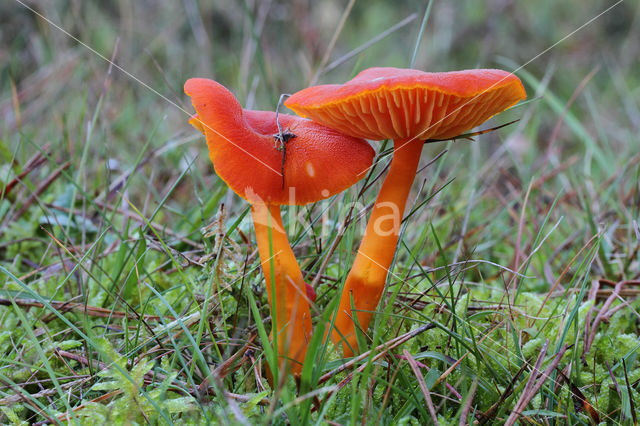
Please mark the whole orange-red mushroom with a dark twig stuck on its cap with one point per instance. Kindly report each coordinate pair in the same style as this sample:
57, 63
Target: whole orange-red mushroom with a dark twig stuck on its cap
319, 162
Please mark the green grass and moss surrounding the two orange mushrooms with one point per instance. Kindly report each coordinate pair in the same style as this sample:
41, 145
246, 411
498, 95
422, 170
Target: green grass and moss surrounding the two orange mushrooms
130, 286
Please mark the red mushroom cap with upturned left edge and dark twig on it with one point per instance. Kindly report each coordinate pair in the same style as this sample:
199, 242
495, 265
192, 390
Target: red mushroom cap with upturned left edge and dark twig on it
319, 161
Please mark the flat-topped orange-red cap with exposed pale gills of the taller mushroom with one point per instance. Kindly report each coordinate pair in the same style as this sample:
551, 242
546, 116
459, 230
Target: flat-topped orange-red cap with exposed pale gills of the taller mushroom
393, 103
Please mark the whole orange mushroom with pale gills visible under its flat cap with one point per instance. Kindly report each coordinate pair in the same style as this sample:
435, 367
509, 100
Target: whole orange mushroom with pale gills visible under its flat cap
408, 106
